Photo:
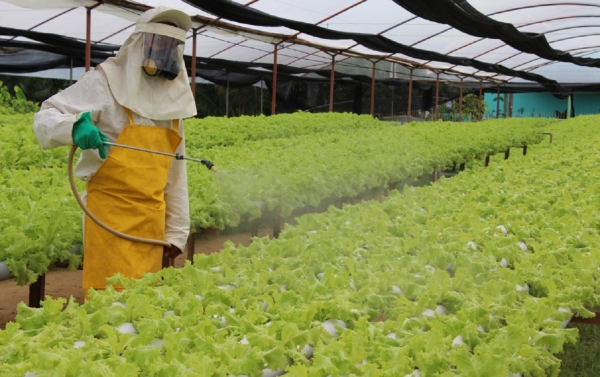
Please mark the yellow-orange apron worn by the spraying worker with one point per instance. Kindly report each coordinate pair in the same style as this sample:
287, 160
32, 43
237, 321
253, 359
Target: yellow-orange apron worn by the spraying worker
127, 194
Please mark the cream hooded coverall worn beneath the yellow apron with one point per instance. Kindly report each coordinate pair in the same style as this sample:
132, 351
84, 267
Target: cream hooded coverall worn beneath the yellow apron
120, 83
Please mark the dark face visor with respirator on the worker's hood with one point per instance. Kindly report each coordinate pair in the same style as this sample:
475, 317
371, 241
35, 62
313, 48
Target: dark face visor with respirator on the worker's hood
160, 56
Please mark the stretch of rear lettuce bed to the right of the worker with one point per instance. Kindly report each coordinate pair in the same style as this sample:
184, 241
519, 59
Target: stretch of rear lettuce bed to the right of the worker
283, 174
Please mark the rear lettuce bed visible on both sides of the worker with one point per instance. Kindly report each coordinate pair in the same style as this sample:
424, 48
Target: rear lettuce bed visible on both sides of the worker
277, 163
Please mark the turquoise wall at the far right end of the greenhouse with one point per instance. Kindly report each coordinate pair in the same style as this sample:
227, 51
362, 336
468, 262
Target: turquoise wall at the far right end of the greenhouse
544, 104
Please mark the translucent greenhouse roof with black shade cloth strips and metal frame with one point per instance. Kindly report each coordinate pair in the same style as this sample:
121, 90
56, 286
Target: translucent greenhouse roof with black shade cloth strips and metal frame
547, 42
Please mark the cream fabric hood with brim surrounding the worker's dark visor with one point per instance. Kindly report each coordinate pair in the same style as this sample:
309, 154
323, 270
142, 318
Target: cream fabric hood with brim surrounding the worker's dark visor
155, 98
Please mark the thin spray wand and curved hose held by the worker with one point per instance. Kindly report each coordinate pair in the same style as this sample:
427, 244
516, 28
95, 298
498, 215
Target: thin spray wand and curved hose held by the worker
207, 163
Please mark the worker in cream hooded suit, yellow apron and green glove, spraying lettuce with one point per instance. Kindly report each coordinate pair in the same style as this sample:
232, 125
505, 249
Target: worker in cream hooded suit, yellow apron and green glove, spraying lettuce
137, 98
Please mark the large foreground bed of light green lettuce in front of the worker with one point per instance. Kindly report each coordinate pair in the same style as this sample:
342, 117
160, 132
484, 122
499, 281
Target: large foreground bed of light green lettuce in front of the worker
472, 276
